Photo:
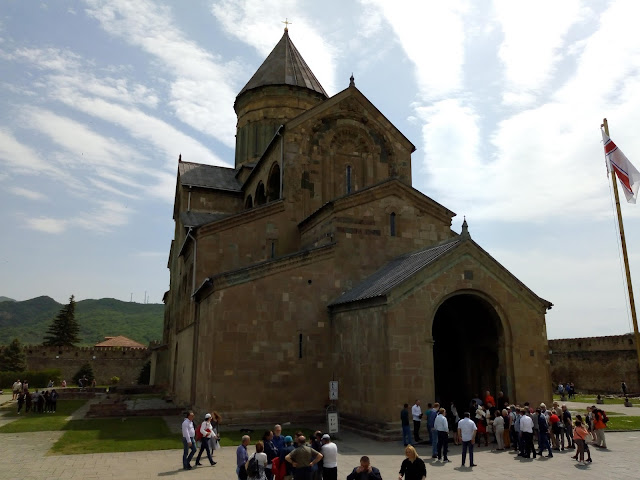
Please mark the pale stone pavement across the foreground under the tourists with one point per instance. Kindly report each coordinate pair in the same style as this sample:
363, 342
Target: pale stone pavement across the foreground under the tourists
24, 457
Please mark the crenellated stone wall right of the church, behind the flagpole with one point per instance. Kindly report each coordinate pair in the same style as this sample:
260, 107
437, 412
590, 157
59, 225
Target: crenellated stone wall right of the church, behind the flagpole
596, 364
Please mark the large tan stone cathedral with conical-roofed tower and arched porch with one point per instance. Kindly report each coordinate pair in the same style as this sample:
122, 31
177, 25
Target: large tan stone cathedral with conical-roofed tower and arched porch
314, 259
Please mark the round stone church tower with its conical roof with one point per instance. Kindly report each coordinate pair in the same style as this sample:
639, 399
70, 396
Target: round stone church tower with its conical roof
281, 89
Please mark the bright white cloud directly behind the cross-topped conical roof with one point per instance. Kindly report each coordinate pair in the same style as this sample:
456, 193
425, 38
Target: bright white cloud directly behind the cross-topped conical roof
258, 23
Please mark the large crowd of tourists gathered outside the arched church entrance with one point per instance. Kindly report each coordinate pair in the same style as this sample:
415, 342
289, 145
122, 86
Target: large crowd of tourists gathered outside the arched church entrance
508, 426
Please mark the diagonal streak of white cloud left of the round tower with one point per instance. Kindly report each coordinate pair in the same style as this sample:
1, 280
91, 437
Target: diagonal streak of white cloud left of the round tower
202, 90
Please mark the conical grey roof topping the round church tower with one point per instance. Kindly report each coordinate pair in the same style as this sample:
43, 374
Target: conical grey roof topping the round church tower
284, 66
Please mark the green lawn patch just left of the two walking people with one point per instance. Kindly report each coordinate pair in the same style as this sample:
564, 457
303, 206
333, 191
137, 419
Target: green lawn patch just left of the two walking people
103, 435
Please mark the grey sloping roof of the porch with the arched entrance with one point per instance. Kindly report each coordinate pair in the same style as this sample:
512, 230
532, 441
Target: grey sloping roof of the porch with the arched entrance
395, 272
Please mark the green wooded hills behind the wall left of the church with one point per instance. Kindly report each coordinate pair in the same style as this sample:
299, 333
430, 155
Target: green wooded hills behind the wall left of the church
29, 320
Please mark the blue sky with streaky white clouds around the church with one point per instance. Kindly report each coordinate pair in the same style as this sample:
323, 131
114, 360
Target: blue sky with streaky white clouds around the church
503, 99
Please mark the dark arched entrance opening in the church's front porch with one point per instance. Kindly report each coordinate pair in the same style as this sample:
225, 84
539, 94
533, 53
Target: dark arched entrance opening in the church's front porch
468, 351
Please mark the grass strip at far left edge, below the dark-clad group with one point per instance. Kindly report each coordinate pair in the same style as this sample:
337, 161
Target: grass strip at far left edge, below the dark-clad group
39, 422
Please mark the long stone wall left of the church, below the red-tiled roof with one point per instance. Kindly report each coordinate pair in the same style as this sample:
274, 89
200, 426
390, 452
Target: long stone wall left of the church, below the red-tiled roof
125, 363
